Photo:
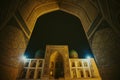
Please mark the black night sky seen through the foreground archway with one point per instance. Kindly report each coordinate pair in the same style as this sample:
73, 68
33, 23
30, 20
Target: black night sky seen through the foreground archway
58, 28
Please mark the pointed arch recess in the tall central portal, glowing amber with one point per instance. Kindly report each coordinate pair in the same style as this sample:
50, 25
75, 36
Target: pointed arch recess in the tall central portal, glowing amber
56, 67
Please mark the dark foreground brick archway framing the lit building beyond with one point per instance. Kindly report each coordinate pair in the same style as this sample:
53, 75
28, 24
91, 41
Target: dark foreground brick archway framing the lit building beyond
100, 20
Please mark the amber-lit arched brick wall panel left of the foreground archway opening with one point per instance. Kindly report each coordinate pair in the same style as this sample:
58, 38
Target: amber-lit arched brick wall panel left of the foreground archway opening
12, 45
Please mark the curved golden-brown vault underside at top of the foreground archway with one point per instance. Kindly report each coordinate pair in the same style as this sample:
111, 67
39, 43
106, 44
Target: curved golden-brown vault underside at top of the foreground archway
32, 10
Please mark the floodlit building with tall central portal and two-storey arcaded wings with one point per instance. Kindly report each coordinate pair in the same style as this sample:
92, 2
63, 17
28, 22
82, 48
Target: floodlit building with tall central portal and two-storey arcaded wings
57, 65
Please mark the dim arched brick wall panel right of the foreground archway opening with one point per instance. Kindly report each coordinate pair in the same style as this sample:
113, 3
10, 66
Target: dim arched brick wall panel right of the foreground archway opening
106, 49
